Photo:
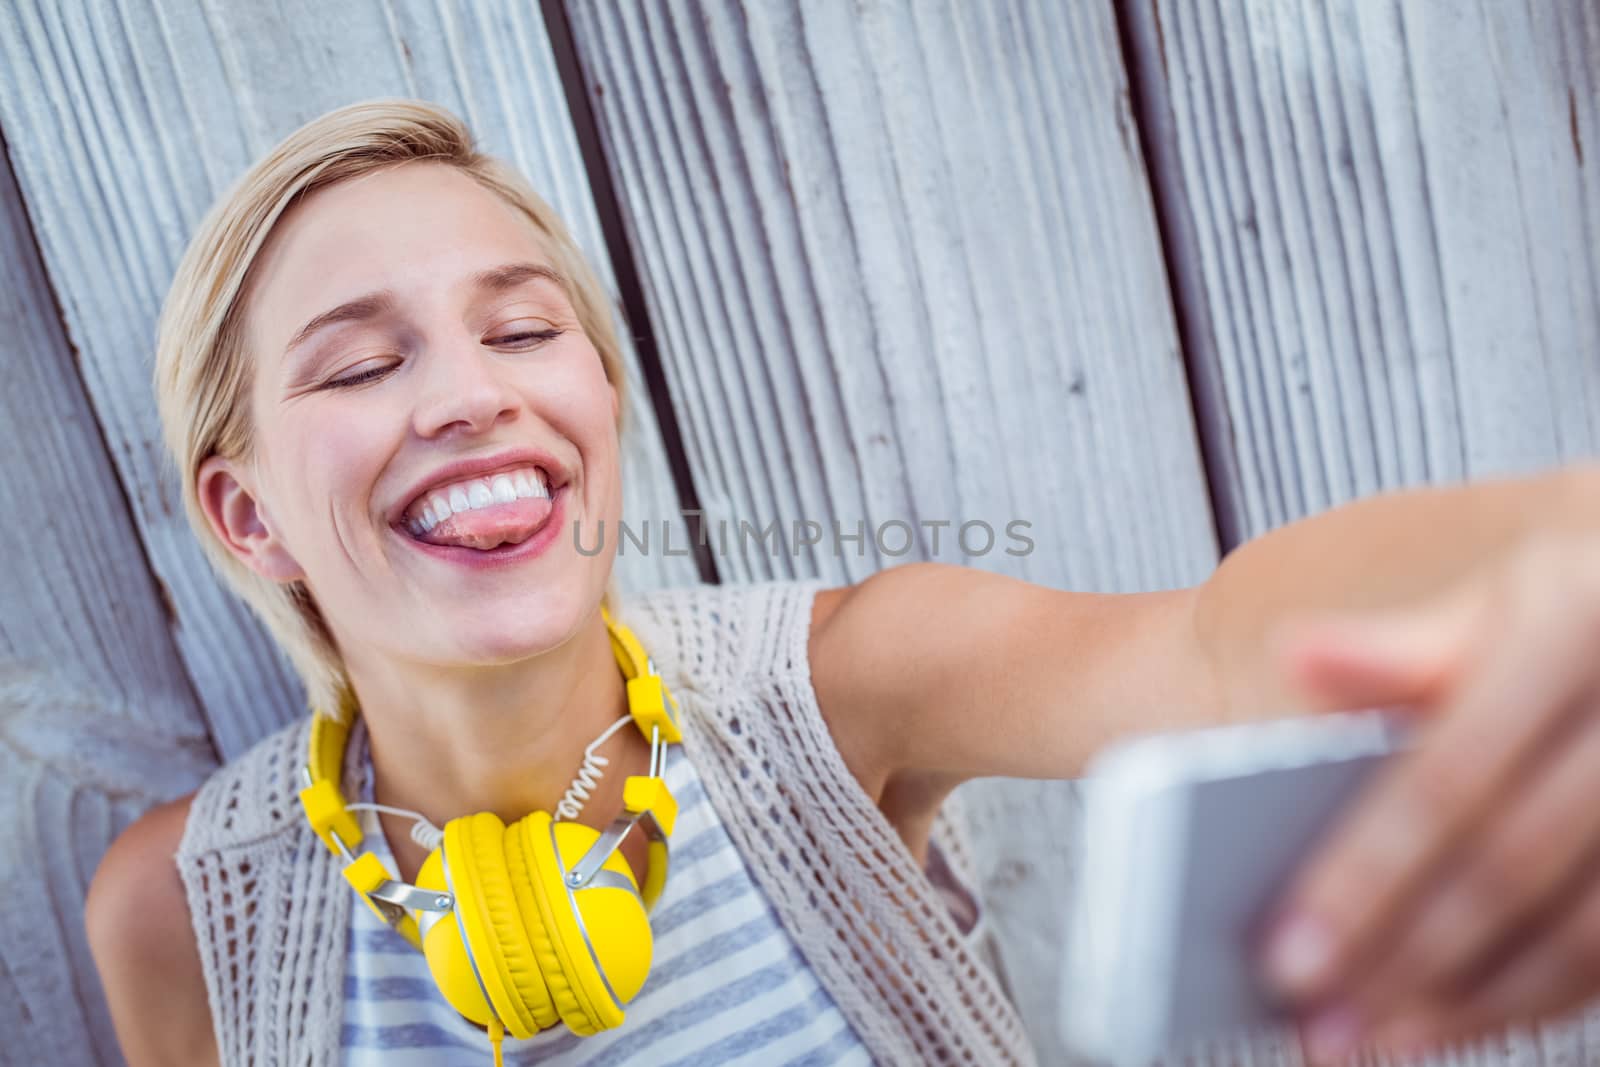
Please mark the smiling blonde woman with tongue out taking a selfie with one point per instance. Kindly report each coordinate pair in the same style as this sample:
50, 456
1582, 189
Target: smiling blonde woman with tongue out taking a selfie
391, 386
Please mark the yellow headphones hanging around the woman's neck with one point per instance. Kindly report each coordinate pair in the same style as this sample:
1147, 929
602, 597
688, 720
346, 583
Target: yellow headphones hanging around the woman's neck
527, 925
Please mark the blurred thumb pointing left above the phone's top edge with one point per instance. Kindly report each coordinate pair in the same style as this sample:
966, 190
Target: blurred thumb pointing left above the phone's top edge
1407, 657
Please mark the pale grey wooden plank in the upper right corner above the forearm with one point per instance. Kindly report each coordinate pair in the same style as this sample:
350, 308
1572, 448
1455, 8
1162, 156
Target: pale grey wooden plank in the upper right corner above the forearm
1394, 233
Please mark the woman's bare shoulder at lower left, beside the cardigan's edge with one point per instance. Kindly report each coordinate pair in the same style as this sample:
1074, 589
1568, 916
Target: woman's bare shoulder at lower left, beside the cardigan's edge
143, 943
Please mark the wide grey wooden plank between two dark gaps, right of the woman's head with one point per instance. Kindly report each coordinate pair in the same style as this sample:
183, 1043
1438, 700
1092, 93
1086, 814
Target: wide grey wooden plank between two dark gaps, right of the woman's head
890, 284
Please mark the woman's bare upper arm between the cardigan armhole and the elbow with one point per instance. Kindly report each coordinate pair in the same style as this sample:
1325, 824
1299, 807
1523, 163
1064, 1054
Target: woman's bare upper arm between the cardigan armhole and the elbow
938, 673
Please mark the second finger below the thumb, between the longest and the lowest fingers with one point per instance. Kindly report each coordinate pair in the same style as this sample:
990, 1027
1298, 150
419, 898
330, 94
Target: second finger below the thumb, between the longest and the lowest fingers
1524, 861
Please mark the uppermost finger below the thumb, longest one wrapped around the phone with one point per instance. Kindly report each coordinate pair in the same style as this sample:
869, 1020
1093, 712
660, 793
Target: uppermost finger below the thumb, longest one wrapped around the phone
1354, 890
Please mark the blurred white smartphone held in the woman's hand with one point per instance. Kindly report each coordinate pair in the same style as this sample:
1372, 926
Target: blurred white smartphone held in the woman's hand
1190, 839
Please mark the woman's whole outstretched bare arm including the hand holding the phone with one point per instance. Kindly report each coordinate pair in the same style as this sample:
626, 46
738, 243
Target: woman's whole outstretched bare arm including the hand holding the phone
1463, 892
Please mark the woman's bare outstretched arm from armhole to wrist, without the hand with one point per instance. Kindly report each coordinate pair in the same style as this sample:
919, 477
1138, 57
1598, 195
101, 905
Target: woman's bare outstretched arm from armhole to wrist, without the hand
943, 673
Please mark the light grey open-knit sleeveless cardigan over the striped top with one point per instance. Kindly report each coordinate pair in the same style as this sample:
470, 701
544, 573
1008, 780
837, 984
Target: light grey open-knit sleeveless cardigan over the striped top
271, 909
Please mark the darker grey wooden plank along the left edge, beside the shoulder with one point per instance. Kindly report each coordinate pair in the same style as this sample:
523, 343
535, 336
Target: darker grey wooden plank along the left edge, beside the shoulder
97, 716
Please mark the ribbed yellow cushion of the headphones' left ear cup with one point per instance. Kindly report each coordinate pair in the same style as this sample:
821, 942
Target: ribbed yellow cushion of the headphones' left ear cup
500, 935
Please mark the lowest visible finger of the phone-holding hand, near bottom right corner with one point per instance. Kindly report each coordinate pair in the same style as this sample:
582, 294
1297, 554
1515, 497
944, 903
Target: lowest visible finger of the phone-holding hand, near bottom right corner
1548, 980
